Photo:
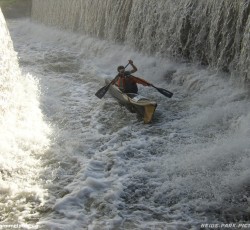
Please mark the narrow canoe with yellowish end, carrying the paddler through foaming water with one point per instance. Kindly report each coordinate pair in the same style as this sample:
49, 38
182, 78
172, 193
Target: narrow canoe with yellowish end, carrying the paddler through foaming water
135, 103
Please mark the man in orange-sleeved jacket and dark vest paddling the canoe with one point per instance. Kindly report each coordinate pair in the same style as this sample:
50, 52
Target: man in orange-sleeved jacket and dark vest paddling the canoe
126, 82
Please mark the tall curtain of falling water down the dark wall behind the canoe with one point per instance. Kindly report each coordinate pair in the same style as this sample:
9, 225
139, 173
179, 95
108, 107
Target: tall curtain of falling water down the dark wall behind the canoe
210, 32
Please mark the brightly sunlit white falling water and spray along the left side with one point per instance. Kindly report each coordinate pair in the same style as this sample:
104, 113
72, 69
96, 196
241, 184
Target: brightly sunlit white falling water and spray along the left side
24, 137
